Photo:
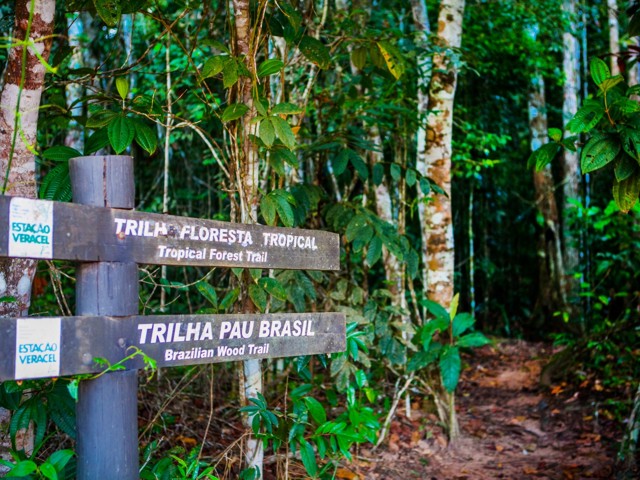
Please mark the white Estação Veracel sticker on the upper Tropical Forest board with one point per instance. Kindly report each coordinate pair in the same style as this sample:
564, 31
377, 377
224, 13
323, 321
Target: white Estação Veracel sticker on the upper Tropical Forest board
30, 228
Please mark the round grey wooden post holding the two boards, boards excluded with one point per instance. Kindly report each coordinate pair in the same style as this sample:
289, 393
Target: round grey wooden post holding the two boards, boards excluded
107, 416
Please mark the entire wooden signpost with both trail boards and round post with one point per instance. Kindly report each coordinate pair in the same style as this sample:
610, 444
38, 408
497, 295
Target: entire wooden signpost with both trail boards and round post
109, 239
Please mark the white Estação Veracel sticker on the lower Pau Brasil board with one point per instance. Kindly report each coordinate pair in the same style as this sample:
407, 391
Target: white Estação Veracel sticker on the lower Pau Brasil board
37, 348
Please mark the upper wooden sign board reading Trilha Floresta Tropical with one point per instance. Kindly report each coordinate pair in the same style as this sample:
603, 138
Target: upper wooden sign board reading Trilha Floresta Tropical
64, 231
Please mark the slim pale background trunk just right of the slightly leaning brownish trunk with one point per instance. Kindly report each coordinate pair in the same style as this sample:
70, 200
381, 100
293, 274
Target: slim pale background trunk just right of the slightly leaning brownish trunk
570, 160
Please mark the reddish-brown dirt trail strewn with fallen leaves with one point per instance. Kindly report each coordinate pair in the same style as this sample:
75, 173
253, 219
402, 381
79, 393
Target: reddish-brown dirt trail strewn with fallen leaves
512, 428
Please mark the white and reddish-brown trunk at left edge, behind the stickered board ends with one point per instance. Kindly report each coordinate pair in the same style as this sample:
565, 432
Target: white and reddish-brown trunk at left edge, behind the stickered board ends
19, 107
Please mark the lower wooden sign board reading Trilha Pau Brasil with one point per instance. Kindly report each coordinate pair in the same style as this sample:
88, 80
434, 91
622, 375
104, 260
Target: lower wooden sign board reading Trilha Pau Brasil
171, 340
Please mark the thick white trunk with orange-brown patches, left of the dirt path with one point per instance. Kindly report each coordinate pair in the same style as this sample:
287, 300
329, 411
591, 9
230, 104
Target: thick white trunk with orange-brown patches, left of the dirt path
437, 158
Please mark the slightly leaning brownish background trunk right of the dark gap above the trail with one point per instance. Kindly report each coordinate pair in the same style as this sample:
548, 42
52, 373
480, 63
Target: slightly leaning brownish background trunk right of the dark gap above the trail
551, 277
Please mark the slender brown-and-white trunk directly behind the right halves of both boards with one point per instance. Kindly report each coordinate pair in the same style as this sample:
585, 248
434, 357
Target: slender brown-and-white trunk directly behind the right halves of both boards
248, 181
